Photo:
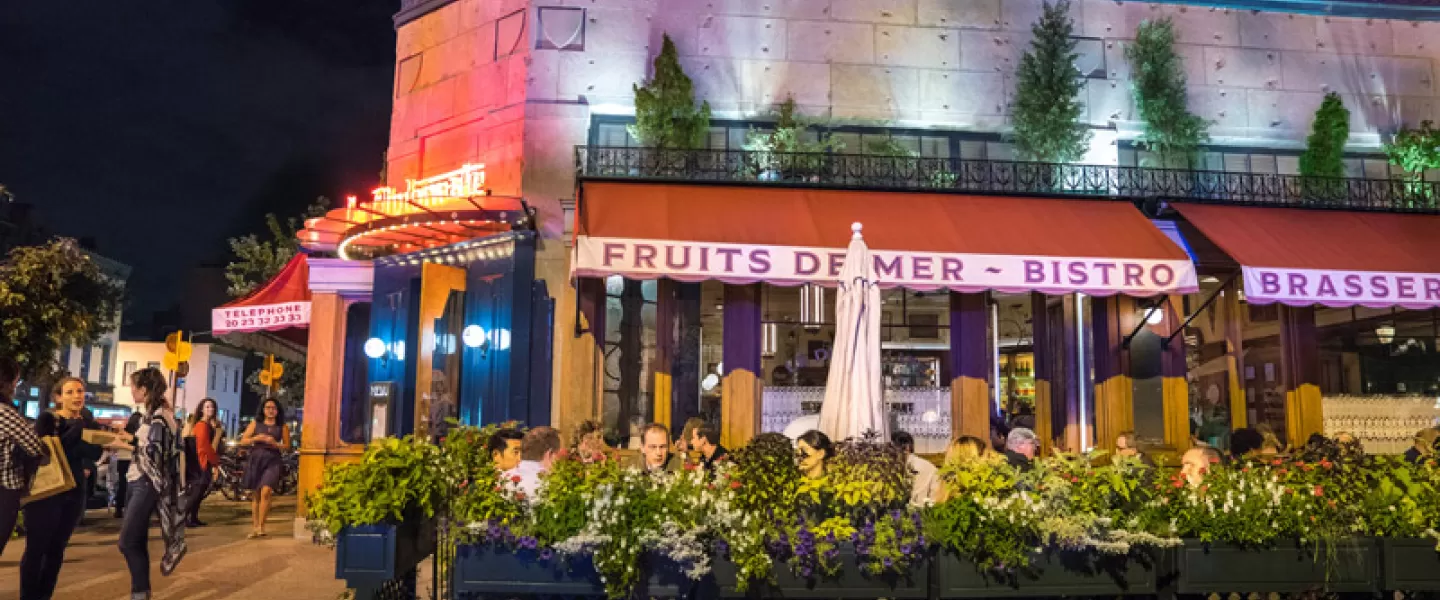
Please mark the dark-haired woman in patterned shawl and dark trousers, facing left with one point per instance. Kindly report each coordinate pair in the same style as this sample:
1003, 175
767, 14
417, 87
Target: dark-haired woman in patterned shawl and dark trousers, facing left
156, 480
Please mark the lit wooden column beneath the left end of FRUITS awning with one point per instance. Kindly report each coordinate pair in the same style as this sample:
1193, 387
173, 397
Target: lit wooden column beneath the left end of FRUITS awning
581, 391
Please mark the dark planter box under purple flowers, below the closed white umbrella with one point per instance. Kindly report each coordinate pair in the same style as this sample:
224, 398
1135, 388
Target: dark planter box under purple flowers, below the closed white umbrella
850, 583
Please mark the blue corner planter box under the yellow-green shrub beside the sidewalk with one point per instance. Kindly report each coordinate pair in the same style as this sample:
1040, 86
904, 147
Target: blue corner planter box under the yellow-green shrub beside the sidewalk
371, 556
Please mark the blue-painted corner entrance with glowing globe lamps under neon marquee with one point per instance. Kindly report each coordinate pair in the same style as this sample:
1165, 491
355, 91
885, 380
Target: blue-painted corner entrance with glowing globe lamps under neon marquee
505, 375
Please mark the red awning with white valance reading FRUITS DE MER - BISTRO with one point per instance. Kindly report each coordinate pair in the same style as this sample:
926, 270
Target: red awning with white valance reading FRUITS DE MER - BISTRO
919, 241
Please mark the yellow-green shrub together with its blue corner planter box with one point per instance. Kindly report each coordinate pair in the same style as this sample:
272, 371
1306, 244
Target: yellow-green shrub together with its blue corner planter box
381, 512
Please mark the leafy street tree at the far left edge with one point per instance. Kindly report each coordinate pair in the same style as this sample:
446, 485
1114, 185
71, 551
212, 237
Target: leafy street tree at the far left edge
53, 297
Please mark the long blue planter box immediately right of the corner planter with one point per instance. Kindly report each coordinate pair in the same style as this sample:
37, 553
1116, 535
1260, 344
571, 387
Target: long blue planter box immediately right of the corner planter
485, 569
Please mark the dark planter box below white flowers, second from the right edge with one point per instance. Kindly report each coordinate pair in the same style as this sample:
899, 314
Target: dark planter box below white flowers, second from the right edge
1290, 569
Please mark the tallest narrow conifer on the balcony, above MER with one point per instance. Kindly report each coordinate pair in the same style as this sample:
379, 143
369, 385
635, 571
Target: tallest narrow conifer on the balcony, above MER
1048, 88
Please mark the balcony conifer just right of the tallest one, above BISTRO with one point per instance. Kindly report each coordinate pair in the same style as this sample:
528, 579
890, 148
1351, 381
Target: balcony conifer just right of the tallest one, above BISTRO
1158, 81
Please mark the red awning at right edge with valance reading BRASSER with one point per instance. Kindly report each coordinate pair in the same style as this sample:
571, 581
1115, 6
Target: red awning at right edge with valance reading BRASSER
1333, 258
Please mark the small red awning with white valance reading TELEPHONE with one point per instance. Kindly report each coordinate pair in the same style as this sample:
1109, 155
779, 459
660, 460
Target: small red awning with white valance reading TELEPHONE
283, 303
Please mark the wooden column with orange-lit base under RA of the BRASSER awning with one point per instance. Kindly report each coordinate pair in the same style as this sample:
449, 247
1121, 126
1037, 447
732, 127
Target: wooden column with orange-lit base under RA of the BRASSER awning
1301, 373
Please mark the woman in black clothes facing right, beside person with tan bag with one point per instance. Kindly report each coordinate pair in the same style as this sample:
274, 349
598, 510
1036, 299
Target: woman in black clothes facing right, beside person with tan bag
51, 522
